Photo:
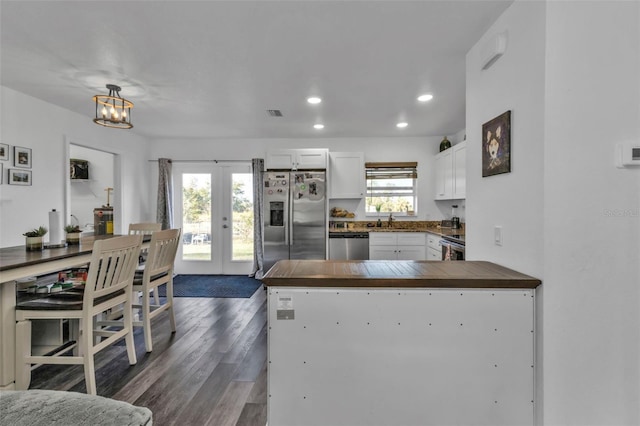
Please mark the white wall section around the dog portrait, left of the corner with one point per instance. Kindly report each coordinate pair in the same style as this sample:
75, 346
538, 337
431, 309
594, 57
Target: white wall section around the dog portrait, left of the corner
512, 200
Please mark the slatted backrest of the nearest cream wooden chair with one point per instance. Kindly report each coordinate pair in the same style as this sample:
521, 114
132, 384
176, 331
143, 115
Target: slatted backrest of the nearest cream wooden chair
112, 268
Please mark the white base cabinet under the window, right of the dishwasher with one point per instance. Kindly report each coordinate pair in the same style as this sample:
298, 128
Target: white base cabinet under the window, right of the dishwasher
397, 246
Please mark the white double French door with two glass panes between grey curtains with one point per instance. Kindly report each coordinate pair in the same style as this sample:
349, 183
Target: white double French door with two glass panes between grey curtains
214, 207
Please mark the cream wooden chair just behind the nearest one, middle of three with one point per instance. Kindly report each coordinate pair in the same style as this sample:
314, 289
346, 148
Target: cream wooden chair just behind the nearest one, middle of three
158, 271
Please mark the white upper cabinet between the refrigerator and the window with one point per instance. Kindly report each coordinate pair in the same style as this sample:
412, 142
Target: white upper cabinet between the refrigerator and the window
347, 176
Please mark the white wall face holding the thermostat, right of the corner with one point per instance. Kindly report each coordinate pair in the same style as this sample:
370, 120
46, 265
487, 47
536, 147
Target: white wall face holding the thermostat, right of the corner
592, 215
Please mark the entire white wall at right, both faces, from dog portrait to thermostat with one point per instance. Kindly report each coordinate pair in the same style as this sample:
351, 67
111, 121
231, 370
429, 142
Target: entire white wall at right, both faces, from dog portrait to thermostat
570, 77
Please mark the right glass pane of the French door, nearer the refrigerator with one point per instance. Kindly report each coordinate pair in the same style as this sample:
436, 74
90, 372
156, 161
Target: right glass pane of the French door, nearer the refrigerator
242, 216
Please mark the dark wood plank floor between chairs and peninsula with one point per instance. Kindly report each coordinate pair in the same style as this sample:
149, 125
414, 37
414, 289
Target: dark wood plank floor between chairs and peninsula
212, 371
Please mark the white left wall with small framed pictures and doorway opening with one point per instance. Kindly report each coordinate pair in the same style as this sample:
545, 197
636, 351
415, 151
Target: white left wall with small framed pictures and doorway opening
47, 130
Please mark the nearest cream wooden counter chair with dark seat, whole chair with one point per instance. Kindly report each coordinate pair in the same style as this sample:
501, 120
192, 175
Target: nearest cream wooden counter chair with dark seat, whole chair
109, 284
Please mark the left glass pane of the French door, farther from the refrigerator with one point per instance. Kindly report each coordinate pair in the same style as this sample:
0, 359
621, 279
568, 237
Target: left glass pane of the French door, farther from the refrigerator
196, 216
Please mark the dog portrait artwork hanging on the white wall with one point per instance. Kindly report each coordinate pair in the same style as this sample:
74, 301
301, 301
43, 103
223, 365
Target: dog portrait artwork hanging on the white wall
496, 145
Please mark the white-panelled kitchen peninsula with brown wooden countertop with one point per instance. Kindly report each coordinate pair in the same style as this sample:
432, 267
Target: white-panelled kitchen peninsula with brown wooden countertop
400, 342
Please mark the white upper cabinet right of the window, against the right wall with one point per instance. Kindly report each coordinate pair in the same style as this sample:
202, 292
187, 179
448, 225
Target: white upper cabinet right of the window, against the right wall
451, 173
